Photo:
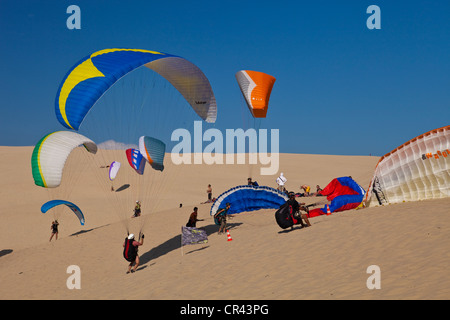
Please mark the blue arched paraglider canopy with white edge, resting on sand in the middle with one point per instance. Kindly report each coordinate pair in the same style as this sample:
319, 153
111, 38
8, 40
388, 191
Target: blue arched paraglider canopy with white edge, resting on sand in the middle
249, 198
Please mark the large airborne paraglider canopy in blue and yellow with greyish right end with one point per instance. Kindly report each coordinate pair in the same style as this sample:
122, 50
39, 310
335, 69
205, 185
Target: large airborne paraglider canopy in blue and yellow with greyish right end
91, 77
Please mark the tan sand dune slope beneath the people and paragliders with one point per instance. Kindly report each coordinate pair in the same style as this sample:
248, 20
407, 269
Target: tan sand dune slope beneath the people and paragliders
409, 241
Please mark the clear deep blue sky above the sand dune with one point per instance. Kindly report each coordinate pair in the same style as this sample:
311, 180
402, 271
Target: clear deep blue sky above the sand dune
341, 88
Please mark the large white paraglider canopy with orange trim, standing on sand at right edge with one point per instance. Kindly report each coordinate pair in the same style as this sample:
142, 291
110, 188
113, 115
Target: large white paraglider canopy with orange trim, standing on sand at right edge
417, 170
